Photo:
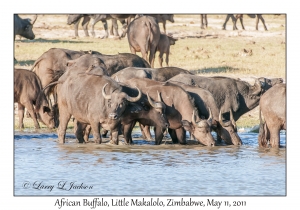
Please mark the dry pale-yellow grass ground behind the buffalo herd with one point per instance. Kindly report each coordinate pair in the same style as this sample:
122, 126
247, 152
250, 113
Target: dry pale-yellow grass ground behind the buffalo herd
206, 52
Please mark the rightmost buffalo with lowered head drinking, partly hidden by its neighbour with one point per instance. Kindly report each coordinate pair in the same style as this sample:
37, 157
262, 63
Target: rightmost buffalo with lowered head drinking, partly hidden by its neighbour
204, 102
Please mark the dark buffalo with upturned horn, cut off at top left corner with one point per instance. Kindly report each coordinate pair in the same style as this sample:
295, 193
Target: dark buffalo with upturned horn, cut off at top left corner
23, 27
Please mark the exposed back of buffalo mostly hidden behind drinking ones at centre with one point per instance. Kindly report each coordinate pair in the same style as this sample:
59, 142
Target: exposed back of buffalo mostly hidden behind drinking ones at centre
159, 74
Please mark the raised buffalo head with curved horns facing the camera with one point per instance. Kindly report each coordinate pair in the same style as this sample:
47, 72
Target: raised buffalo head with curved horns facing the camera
118, 102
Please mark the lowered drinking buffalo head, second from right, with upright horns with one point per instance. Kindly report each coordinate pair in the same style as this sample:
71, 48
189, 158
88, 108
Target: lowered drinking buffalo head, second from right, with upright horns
201, 130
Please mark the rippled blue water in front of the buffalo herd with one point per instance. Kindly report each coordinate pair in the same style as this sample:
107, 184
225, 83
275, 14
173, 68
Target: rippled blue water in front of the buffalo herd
148, 169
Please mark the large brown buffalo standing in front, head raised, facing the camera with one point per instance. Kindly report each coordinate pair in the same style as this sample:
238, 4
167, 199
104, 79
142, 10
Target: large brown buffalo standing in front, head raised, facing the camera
91, 99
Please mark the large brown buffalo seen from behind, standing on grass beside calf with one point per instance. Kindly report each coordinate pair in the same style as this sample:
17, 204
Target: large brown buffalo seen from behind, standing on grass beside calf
143, 36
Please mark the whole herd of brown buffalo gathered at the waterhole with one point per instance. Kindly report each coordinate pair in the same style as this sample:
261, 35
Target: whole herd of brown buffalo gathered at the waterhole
114, 92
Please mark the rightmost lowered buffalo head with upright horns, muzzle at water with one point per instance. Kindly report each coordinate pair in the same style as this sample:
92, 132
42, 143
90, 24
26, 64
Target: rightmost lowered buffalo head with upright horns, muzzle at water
228, 130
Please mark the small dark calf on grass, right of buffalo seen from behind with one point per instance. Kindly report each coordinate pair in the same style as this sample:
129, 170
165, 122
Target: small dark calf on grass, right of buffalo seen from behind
164, 47
